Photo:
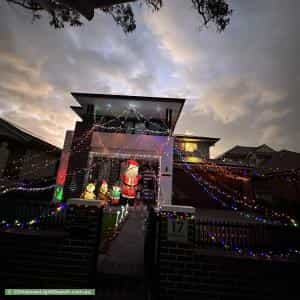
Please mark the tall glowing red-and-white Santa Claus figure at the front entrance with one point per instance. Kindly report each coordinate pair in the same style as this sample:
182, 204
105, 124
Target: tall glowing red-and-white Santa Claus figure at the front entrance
130, 179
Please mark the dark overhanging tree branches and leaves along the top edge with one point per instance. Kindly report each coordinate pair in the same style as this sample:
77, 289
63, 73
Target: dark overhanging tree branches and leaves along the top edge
63, 12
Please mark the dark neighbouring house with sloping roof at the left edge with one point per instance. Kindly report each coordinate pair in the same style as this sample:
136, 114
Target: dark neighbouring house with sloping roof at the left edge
24, 156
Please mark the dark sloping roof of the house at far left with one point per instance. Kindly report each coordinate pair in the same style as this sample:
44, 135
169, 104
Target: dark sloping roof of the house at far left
24, 135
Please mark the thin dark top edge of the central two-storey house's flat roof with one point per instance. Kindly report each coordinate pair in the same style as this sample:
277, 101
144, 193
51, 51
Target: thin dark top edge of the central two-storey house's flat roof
143, 98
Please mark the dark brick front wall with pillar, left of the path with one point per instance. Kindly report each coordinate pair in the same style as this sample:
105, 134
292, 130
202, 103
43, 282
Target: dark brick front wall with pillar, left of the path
53, 258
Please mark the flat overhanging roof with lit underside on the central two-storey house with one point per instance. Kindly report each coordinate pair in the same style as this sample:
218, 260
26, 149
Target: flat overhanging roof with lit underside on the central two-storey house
115, 105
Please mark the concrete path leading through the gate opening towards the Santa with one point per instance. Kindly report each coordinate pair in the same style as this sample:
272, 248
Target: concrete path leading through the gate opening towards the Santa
121, 271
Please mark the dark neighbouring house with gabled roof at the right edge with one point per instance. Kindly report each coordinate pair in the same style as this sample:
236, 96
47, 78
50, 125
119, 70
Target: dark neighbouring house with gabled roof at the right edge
275, 175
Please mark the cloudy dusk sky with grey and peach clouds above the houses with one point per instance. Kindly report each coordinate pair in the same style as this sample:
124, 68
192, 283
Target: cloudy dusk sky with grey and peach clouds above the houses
241, 85
